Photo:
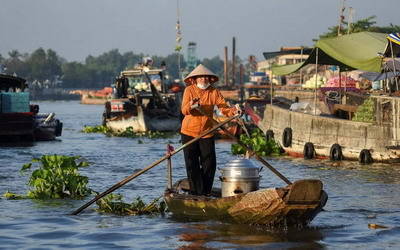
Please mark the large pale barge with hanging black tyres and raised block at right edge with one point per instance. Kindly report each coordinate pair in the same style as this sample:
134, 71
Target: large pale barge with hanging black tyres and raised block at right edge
315, 136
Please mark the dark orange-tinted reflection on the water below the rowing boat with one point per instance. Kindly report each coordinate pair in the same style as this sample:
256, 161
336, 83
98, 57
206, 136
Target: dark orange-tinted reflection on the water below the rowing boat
204, 235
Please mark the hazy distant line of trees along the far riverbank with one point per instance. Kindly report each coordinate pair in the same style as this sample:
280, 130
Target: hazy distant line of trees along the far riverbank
95, 72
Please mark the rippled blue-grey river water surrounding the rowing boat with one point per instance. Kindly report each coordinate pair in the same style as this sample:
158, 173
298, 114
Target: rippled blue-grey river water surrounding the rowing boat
358, 196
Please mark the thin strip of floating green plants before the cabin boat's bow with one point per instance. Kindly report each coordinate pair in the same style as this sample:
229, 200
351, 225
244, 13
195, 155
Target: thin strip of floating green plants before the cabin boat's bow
128, 133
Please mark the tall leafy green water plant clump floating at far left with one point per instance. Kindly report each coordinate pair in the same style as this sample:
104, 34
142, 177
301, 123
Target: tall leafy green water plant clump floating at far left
57, 177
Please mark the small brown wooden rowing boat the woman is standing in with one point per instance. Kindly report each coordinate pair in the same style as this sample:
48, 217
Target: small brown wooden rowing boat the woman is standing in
294, 205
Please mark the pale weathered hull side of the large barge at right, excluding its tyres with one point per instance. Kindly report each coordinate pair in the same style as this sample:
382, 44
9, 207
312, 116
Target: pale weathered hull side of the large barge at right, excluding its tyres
324, 132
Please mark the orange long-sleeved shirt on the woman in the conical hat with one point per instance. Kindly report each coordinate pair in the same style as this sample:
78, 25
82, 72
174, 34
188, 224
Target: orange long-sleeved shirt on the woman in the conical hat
194, 122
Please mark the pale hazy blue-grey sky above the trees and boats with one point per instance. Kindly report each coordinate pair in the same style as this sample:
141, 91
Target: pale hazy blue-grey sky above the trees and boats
78, 28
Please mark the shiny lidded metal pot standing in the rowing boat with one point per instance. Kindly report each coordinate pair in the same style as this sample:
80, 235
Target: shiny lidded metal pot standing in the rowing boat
239, 176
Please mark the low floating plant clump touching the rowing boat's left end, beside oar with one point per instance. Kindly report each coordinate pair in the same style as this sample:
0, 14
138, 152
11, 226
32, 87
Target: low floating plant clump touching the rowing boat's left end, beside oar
113, 203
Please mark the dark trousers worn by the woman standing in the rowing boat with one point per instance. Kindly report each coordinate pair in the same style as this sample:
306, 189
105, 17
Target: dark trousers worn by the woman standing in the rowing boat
200, 164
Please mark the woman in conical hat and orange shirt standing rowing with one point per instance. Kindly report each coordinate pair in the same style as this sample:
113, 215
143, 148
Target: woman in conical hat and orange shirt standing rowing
200, 159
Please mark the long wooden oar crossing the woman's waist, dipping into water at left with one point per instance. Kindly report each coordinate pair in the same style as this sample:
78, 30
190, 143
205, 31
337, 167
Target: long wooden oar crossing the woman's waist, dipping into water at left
136, 174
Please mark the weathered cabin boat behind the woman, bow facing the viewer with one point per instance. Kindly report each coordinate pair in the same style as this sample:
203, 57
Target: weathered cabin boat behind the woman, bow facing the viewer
143, 102
